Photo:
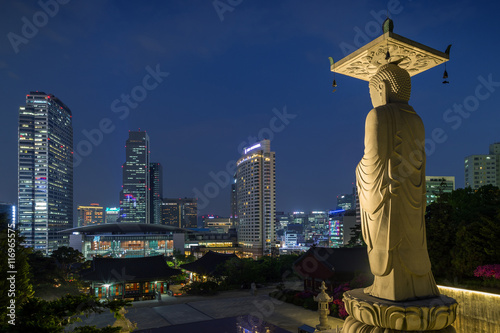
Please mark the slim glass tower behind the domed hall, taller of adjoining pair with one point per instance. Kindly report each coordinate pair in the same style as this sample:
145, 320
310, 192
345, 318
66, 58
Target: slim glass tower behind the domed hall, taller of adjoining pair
135, 197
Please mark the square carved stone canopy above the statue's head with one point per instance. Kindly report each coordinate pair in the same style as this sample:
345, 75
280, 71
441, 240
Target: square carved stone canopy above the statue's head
412, 56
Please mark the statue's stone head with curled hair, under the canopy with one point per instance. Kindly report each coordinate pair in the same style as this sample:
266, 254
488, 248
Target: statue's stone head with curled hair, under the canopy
391, 84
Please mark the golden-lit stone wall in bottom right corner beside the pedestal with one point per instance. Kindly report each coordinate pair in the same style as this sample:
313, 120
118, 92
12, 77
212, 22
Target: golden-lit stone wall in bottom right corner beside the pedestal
477, 311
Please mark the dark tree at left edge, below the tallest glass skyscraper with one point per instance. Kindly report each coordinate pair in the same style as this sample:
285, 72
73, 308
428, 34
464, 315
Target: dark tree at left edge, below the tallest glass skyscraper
16, 287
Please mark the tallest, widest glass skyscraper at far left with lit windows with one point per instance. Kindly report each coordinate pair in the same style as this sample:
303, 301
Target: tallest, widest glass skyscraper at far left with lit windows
45, 171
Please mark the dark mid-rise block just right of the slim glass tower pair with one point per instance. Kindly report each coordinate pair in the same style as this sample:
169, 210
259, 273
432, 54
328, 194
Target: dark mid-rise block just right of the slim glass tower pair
182, 213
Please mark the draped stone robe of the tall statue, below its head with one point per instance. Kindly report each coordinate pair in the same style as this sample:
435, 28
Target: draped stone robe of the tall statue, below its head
391, 188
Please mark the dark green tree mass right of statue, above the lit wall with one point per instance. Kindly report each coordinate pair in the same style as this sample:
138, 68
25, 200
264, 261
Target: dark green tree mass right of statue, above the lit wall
463, 228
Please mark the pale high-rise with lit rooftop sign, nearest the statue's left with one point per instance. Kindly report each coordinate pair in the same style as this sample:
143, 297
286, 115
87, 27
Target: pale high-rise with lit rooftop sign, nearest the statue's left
255, 187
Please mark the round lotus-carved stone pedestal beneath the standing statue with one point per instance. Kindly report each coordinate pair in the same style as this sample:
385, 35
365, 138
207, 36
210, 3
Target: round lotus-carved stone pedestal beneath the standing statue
371, 314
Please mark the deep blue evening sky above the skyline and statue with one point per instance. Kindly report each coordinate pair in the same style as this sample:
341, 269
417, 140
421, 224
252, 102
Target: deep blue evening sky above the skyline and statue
225, 78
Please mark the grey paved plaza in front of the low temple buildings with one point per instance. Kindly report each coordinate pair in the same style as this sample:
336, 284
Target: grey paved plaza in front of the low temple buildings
189, 309
